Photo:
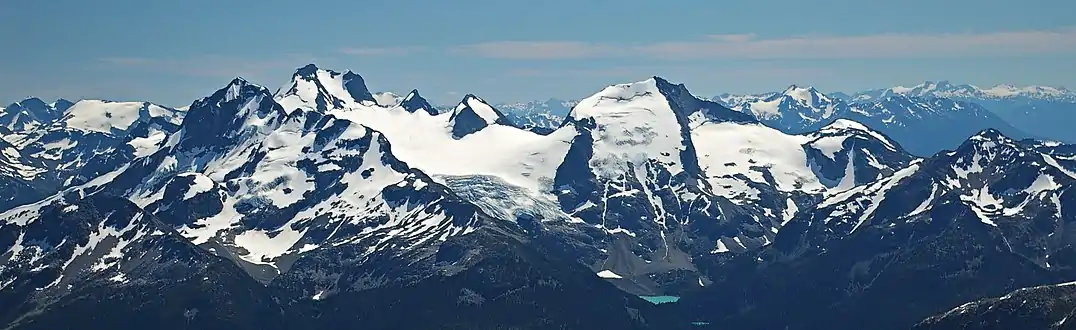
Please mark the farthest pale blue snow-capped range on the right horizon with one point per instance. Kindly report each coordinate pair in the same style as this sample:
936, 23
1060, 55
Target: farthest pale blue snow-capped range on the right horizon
1046, 111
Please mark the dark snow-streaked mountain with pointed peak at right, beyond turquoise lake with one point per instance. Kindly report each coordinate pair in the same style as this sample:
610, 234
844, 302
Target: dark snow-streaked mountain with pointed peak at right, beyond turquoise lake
984, 220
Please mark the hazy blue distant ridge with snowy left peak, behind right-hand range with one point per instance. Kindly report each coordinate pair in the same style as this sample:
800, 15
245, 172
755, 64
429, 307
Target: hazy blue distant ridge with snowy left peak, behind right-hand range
924, 125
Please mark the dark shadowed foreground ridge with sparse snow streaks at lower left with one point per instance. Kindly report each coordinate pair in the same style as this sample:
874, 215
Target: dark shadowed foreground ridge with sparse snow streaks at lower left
119, 267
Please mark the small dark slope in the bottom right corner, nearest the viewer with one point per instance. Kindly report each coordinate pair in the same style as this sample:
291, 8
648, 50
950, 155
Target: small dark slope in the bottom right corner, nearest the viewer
1049, 307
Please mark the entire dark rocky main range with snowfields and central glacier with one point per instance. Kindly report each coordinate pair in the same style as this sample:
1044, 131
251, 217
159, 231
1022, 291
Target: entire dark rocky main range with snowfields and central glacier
323, 205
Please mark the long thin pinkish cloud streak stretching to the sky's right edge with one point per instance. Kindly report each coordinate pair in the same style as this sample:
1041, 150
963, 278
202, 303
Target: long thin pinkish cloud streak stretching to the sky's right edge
751, 47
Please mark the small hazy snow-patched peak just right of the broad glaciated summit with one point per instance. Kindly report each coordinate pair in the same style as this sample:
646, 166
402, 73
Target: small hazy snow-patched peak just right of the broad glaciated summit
797, 110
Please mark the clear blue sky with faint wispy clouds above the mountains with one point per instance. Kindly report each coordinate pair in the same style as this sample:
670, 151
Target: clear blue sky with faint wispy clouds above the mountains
175, 52
